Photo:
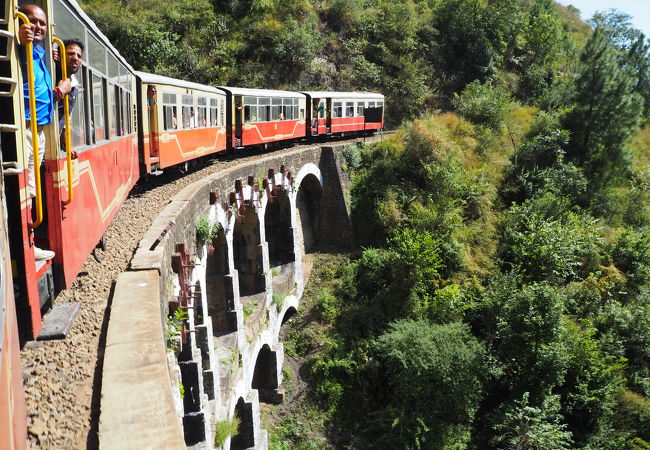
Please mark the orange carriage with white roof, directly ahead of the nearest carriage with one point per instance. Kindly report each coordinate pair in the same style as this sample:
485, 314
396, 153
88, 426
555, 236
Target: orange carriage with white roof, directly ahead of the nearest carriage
180, 121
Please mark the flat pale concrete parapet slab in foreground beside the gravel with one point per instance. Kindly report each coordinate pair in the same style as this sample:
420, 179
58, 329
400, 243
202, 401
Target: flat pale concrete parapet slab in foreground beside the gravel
137, 407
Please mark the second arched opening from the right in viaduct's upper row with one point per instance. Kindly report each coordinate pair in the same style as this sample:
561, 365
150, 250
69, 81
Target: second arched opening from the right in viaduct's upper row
279, 233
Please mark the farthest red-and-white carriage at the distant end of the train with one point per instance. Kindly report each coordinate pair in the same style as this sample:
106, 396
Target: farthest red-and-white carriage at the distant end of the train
344, 112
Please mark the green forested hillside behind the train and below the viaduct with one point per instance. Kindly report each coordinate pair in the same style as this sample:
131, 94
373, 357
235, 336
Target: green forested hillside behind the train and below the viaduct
499, 295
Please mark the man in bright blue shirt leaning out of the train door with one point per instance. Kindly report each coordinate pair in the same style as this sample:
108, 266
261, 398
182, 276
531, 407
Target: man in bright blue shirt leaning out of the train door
45, 95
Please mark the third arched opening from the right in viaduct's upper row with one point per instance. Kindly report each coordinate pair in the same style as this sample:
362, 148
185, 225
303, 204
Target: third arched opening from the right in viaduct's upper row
248, 253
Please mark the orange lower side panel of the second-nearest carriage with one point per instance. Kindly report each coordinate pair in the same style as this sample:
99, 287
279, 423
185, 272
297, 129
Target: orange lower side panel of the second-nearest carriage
179, 146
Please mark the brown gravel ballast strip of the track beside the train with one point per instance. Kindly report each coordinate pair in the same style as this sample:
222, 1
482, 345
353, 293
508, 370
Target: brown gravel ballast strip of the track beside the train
62, 379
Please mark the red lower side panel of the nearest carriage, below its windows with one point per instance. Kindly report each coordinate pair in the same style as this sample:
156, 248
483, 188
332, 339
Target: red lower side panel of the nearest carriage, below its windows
103, 177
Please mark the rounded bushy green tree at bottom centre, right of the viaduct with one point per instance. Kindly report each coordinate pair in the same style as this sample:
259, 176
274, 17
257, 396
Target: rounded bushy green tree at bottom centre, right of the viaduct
434, 376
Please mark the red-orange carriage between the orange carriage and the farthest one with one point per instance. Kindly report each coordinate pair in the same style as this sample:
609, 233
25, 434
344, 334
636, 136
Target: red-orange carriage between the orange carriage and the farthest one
259, 117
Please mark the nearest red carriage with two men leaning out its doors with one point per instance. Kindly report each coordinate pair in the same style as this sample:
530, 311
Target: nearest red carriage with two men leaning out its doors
79, 197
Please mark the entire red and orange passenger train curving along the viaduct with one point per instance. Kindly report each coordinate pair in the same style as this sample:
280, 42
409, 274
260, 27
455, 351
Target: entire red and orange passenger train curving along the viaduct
125, 125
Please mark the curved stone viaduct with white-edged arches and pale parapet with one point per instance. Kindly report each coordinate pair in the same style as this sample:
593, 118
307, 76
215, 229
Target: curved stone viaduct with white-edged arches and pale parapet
166, 383
